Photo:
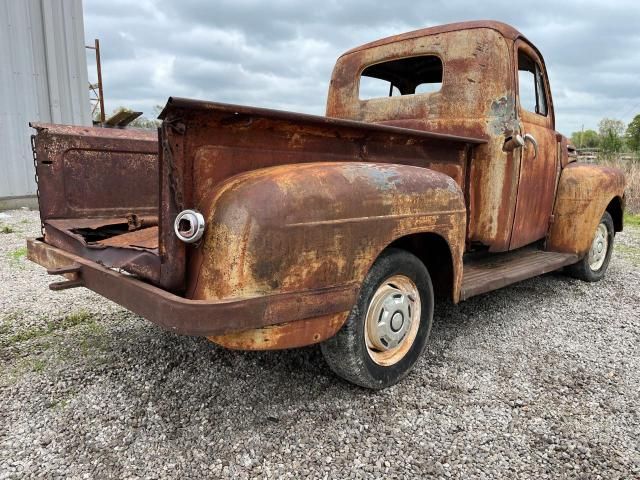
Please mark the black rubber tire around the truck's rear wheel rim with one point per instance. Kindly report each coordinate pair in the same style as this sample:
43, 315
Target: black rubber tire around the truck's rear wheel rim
347, 353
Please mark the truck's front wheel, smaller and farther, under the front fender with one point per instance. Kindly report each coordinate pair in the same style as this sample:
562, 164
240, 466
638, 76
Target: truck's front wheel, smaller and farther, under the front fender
594, 265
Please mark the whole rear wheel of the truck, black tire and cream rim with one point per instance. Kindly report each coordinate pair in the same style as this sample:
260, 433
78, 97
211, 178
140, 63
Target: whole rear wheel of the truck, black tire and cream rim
388, 328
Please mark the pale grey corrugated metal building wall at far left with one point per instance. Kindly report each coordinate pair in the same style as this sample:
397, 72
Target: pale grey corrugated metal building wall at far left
43, 77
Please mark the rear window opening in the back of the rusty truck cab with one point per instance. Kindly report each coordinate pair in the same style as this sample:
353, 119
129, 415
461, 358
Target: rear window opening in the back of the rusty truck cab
406, 76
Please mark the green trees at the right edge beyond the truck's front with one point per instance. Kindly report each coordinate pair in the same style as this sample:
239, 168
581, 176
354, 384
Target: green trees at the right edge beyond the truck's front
613, 136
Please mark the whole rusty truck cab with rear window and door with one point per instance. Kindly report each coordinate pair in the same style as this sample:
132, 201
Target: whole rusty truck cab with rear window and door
478, 79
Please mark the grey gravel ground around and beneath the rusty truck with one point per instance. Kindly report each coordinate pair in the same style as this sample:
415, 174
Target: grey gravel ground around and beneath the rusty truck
538, 380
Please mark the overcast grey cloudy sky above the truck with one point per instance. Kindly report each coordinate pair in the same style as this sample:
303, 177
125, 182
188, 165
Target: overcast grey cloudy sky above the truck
280, 54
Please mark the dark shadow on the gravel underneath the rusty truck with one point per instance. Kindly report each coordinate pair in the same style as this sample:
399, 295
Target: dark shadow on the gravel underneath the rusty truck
179, 373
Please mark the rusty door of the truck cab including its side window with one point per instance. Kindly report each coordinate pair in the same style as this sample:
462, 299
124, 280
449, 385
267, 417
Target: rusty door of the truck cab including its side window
538, 157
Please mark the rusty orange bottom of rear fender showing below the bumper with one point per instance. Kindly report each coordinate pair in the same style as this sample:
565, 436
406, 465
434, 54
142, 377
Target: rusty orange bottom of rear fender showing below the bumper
286, 335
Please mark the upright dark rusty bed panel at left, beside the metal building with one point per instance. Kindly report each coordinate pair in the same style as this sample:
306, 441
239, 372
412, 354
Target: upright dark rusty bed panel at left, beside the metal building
95, 172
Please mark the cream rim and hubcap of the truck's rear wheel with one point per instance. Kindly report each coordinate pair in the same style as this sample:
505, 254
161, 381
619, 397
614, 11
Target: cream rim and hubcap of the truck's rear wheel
392, 321
